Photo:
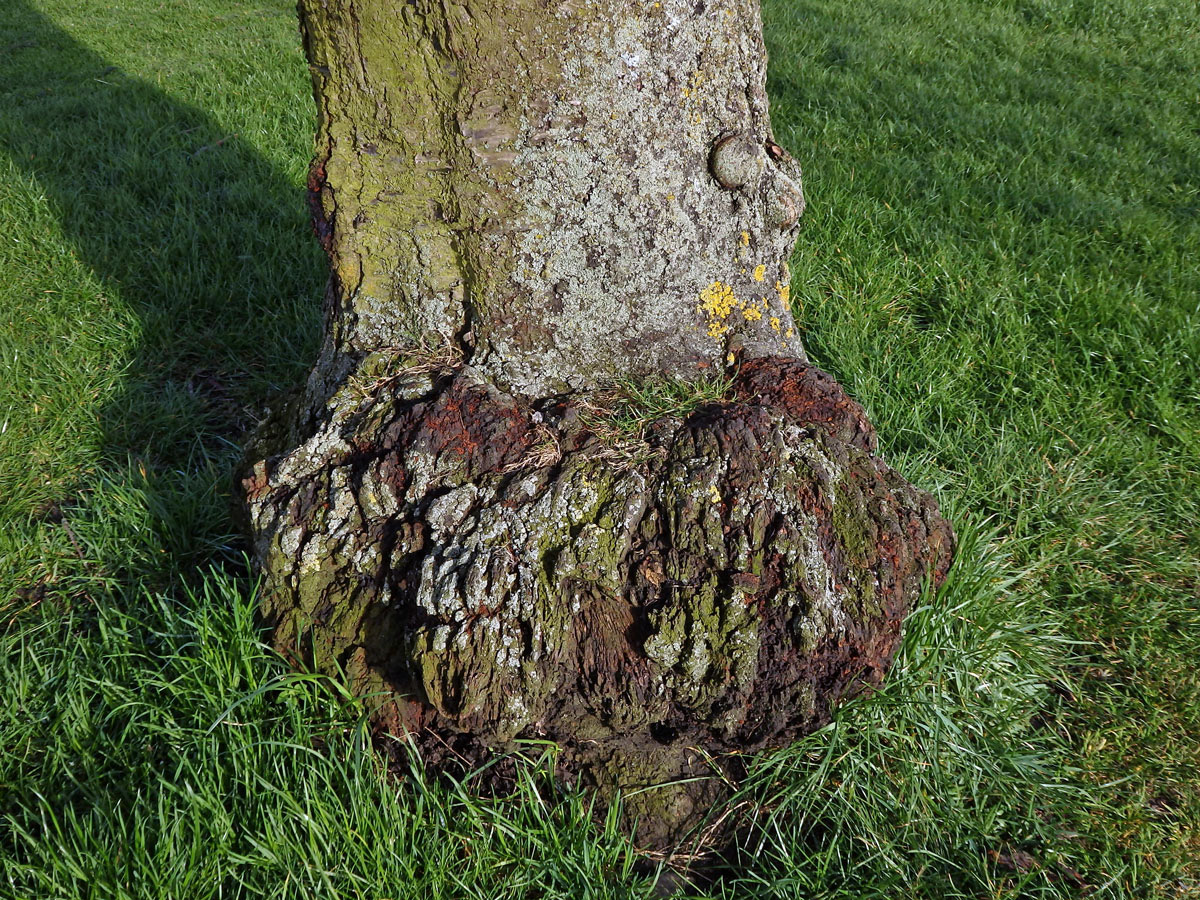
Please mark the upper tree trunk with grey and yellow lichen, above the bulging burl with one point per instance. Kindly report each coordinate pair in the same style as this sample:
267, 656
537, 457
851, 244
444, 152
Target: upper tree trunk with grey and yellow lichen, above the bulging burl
536, 178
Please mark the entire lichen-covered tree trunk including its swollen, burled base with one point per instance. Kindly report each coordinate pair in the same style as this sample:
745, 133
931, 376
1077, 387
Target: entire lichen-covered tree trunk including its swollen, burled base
524, 205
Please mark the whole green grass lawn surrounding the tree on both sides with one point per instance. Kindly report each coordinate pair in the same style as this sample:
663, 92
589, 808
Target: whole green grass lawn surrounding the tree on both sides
999, 261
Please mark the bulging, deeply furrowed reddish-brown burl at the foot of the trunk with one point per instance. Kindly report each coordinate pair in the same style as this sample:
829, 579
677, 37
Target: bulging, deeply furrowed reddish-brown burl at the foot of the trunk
487, 572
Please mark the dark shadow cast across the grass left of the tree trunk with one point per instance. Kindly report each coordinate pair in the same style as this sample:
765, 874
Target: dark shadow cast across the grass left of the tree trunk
205, 239
